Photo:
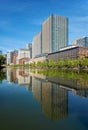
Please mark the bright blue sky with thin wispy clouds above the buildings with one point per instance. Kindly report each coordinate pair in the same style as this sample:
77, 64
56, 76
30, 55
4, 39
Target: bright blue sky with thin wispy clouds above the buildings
20, 20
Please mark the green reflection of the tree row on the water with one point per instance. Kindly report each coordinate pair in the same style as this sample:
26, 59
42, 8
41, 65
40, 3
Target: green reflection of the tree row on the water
62, 73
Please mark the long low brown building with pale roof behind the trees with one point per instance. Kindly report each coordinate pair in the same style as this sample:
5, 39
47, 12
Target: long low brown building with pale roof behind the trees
72, 52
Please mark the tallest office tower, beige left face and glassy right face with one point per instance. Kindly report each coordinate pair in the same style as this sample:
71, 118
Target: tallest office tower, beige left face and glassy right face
54, 33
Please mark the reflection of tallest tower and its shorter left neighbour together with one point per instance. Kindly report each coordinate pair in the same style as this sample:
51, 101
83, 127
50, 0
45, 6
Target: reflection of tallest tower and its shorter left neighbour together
53, 99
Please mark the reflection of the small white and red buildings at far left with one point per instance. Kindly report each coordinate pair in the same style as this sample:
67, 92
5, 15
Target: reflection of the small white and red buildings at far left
20, 76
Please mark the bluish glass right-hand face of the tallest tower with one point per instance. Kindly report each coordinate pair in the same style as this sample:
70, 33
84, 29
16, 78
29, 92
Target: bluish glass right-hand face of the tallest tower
59, 32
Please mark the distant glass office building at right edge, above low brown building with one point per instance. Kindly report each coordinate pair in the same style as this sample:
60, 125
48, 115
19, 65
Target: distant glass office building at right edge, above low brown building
82, 41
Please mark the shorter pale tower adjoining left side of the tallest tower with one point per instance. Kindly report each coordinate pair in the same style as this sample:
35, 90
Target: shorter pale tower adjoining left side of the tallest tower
36, 45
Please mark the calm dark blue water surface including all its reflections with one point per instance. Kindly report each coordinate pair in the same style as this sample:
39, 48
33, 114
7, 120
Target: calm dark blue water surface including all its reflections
33, 101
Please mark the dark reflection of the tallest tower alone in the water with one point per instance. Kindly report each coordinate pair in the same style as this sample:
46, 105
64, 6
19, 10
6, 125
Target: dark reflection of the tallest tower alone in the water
54, 101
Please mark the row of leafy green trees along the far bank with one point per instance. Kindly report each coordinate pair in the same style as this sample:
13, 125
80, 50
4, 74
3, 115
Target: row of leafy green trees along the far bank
69, 63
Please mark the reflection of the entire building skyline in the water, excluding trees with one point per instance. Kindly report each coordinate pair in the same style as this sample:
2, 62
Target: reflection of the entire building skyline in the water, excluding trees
50, 92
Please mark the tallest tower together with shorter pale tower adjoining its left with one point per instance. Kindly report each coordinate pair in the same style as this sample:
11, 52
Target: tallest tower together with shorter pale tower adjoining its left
53, 36
